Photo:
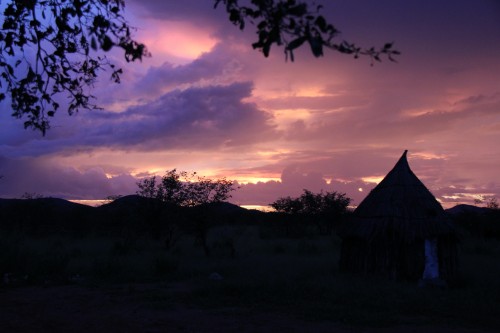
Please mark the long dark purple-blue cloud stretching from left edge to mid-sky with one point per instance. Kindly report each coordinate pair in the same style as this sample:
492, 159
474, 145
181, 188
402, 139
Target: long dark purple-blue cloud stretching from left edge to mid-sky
195, 118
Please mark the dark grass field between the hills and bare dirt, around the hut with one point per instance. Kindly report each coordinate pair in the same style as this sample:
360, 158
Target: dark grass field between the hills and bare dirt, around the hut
298, 277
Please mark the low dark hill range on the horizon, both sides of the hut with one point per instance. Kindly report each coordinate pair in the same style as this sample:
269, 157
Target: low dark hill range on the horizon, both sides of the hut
134, 214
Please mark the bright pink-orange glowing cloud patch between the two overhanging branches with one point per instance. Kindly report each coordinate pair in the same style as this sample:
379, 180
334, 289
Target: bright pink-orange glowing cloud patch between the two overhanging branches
179, 40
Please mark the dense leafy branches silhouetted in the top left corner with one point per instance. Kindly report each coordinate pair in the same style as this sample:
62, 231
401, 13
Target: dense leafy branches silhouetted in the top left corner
45, 51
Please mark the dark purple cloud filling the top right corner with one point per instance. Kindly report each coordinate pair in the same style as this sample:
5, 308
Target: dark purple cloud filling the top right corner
430, 31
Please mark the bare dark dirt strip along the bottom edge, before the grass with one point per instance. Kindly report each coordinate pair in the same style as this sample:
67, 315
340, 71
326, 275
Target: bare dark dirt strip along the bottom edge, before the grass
138, 308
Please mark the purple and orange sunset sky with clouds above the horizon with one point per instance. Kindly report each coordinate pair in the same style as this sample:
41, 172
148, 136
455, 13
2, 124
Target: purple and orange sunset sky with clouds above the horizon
207, 102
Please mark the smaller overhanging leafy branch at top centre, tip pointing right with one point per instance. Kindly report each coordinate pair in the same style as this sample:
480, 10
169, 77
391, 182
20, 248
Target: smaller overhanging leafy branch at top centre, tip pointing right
291, 23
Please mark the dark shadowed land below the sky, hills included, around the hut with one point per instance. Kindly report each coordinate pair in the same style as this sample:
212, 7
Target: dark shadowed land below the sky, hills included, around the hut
125, 268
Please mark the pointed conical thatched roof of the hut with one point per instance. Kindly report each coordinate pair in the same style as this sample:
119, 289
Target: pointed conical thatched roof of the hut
399, 207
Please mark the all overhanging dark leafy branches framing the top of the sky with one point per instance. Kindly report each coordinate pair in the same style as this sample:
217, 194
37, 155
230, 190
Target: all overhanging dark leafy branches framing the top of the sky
52, 48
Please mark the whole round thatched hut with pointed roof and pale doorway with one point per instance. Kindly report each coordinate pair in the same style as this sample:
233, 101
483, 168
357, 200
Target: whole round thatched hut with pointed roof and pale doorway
401, 231
